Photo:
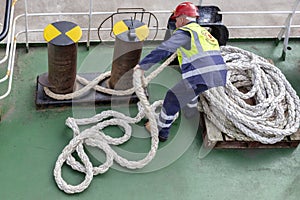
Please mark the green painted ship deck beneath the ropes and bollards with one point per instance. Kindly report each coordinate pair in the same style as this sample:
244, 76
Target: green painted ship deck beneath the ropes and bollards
31, 140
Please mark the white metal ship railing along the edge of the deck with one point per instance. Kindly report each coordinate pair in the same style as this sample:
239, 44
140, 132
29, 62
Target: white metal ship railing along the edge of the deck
12, 37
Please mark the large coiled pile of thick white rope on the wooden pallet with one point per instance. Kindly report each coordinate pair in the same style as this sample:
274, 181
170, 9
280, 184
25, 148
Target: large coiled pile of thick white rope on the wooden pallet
275, 114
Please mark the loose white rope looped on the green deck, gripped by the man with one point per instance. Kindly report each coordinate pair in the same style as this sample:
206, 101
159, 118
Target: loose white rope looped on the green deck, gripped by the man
95, 137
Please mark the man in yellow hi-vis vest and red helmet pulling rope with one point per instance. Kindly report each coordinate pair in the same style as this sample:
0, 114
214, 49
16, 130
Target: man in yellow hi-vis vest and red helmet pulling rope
201, 63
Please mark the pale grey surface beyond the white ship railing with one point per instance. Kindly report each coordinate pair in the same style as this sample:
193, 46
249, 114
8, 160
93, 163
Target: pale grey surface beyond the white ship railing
232, 21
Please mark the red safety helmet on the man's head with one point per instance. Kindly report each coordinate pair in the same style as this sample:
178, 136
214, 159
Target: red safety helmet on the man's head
185, 8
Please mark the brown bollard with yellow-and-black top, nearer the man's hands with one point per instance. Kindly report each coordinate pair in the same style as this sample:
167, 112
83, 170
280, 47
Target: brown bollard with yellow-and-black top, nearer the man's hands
130, 35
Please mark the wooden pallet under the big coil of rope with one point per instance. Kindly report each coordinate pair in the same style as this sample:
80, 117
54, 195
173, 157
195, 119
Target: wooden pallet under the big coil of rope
214, 138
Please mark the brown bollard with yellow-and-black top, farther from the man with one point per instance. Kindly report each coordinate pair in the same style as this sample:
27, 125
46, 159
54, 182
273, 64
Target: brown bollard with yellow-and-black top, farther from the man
62, 38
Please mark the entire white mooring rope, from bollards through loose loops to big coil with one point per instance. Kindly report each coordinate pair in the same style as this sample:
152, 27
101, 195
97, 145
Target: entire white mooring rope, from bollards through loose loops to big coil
274, 115
